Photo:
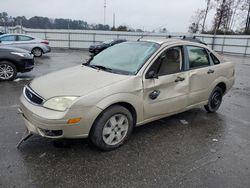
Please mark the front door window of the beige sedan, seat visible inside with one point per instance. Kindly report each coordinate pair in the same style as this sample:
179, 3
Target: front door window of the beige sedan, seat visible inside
170, 61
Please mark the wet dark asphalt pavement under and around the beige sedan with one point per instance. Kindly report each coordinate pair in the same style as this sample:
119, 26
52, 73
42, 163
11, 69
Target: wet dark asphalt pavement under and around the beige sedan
205, 150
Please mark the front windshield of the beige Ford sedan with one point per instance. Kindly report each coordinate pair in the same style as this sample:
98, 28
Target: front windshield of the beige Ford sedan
125, 58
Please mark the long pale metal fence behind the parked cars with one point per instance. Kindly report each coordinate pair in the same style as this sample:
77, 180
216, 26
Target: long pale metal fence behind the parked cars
235, 44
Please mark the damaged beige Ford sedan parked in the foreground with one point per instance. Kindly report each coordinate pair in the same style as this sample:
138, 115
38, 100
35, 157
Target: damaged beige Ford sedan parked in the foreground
126, 85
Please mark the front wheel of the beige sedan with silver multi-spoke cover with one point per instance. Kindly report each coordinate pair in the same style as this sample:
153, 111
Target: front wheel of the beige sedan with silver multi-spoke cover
112, 128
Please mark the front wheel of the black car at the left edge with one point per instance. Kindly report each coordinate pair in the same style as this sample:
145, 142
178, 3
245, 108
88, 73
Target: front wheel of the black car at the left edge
8, 71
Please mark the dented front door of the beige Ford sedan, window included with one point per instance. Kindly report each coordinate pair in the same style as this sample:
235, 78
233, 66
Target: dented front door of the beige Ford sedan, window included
167, 92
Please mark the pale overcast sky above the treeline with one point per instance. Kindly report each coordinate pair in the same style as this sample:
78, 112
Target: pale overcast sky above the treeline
146, 14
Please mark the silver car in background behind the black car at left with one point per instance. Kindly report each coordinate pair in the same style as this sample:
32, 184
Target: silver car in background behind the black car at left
36, 46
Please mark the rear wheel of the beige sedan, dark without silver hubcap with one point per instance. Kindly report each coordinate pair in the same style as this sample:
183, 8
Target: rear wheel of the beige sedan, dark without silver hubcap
214, 100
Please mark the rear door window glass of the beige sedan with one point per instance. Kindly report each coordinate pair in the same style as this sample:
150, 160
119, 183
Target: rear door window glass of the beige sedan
198, 57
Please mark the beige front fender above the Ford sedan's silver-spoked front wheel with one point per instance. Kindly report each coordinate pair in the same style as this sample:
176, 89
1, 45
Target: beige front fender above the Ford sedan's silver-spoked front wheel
127, 91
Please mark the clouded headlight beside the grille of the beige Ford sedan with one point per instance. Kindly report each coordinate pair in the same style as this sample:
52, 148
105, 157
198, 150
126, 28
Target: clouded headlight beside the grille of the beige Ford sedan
59, 103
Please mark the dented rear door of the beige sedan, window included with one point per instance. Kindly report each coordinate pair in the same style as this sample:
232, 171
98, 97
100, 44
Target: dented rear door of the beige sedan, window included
201, 74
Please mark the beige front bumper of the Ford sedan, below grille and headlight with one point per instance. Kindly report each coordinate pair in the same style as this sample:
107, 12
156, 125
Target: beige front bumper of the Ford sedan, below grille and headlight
53, 124
